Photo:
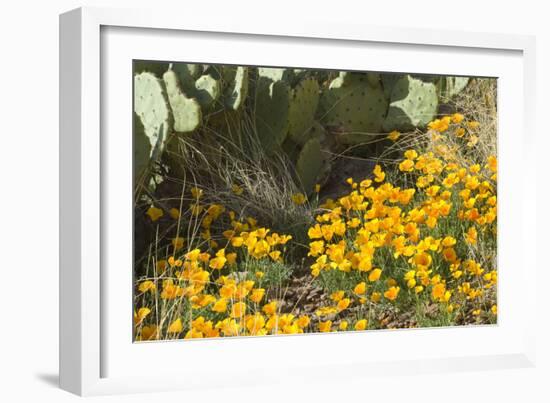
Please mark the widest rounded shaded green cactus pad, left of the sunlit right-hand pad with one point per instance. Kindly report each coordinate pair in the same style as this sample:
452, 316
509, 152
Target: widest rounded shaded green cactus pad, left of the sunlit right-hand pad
354, 103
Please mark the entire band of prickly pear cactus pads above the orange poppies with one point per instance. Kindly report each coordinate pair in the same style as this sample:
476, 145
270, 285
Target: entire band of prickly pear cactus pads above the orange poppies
290, 108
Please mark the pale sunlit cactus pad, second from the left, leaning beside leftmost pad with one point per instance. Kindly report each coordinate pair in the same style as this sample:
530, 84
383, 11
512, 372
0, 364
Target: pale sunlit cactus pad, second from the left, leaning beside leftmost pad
186, 111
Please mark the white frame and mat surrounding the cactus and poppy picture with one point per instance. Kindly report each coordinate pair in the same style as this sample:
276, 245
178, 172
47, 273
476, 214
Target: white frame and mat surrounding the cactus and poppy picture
90, 341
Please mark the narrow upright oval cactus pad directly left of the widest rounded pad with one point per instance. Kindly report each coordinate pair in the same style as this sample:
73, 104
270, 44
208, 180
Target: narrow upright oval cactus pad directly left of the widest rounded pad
303, 105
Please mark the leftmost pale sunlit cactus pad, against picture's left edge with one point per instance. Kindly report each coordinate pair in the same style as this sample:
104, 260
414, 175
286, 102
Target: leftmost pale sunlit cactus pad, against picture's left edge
151, 105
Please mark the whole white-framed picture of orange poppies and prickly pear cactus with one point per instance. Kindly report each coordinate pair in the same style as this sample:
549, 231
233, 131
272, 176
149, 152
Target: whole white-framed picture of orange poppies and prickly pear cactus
294, 202
